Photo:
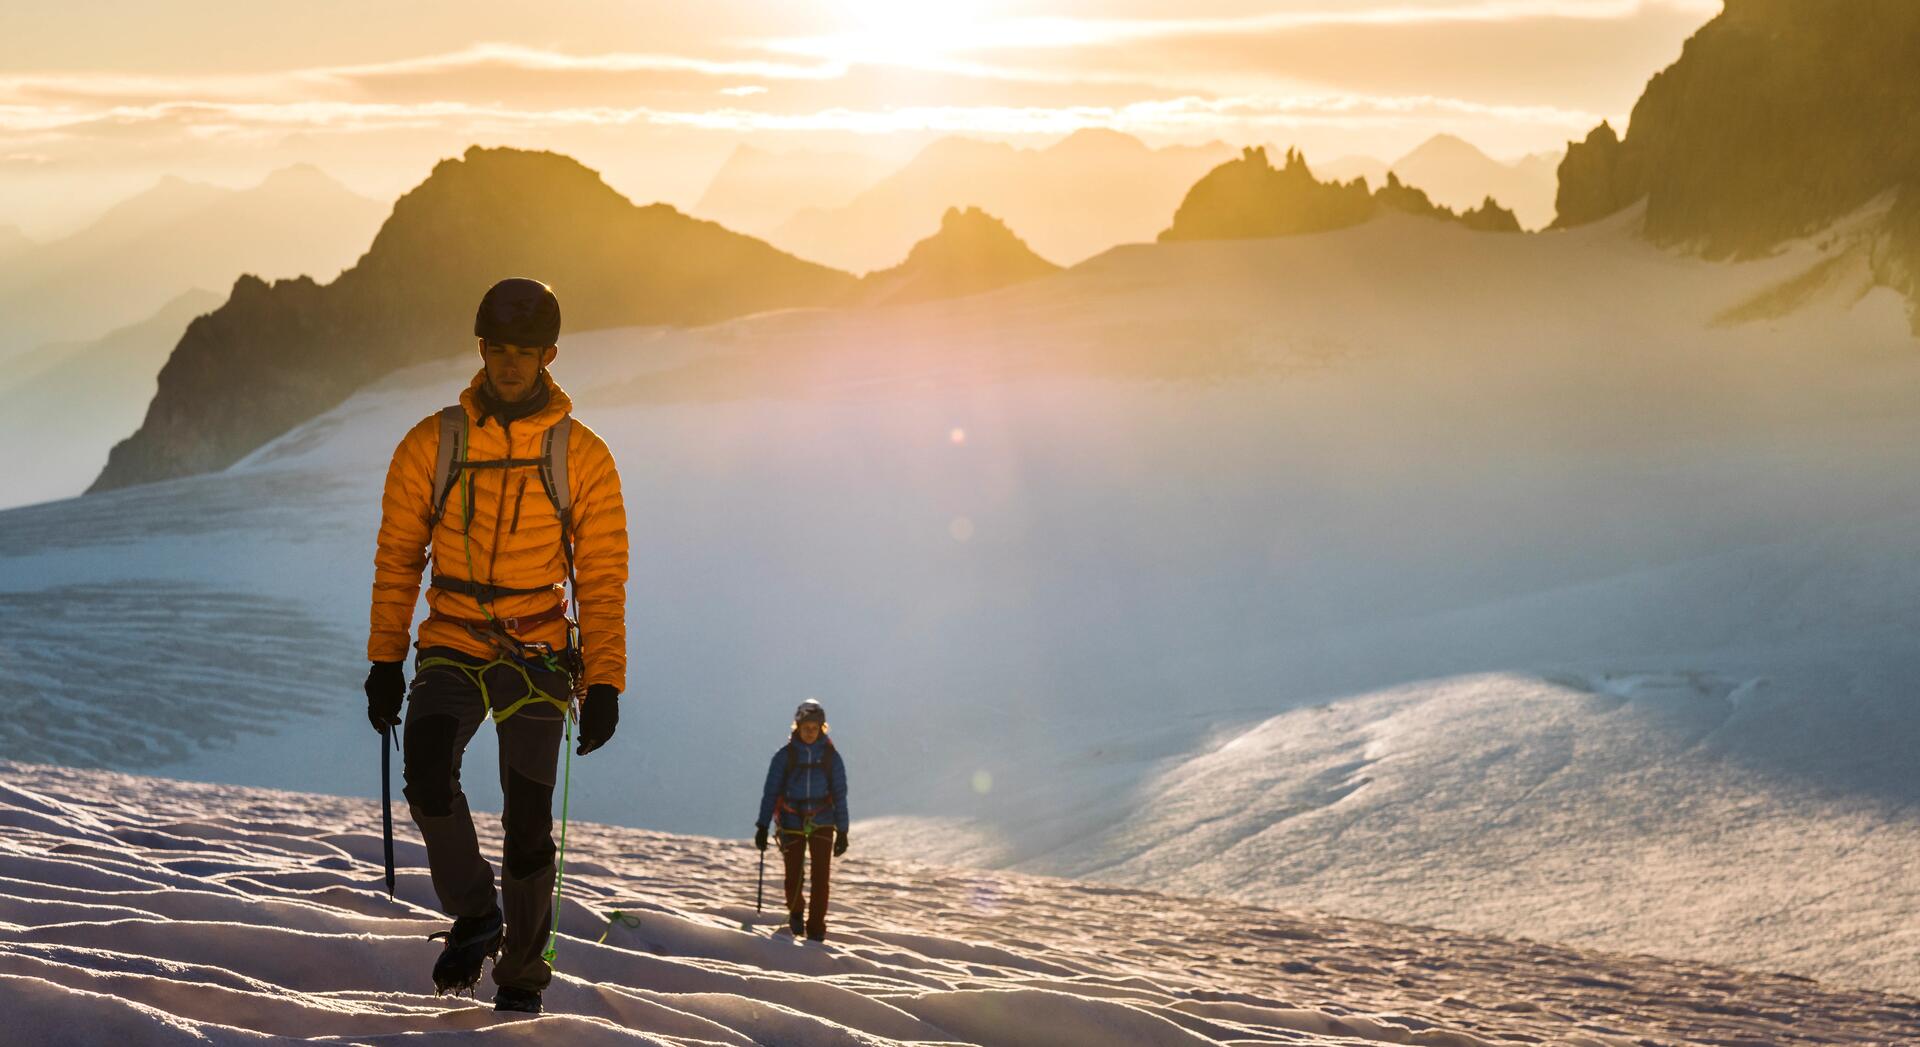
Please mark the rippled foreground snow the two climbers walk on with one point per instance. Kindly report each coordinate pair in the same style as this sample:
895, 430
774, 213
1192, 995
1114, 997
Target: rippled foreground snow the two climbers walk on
153, 912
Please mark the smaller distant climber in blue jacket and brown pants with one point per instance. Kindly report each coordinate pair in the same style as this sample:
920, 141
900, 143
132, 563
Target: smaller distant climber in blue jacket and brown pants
807, 796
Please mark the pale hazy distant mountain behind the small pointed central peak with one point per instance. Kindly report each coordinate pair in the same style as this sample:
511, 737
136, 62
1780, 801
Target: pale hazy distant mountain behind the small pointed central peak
1076, 199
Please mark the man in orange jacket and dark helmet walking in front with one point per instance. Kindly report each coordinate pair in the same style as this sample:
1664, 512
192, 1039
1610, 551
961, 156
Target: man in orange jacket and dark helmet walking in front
527, 499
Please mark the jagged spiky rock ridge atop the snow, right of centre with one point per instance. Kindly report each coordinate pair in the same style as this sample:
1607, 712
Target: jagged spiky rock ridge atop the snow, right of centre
1251, 199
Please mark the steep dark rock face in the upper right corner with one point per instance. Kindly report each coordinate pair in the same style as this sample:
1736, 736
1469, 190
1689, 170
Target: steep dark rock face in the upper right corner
1779, 118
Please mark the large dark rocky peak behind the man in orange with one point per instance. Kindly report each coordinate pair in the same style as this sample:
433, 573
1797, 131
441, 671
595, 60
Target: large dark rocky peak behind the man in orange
279, 354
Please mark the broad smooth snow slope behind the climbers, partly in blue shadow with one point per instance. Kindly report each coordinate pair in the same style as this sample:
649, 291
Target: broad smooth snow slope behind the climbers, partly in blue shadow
1047, 554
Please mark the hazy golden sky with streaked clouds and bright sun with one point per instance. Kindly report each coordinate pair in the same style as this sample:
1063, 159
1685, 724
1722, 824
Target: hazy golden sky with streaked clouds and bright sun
99, 99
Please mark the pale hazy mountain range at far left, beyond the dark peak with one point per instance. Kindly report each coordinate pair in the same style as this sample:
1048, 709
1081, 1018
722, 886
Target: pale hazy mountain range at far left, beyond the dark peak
170, 239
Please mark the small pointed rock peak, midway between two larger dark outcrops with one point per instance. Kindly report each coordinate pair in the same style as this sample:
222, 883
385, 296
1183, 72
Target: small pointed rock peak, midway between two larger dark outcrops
971, 255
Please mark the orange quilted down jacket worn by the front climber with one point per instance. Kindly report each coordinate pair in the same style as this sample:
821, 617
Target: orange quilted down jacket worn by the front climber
514, 541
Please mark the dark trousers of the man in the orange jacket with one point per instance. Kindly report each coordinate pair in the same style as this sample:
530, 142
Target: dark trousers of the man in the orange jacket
444, 710
